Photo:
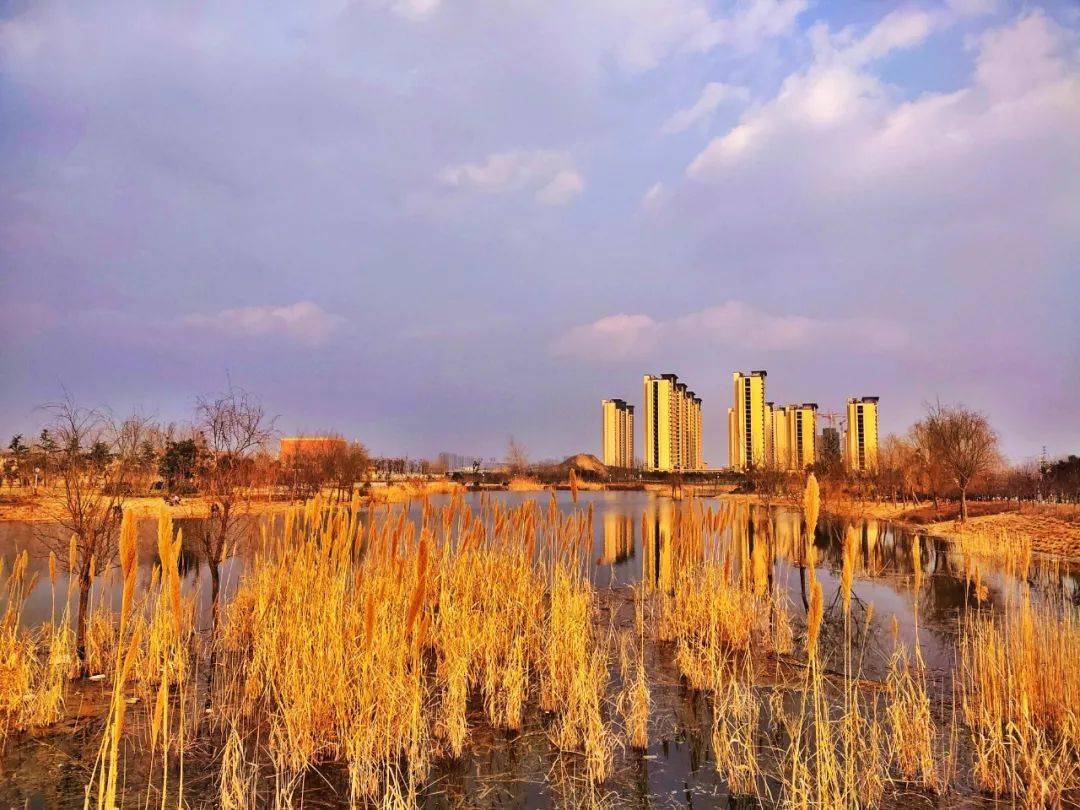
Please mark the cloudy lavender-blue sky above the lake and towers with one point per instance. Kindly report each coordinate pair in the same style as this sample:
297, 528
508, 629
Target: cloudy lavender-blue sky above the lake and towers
431, 225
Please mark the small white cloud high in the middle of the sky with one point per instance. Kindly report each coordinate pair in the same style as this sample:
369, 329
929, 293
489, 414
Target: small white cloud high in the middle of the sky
550, 174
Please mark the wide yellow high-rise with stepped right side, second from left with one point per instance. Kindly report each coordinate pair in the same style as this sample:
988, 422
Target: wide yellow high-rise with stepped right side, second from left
672, 425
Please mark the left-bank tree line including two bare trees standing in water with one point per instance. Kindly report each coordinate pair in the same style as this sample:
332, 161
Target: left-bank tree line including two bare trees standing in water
91, 462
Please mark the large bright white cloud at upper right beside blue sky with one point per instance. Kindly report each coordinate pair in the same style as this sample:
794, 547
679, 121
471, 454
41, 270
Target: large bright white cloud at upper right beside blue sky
838, 123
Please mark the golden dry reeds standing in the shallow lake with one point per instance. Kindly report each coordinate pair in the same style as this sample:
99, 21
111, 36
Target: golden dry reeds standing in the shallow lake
362, 641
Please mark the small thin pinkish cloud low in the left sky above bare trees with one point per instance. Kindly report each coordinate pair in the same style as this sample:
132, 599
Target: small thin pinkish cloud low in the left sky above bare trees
305, 322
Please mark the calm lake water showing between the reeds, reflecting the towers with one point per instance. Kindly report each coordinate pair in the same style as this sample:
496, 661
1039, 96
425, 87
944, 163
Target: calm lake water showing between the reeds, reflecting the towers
632, 544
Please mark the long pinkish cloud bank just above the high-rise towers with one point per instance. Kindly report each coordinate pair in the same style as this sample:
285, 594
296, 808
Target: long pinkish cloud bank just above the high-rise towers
733, 326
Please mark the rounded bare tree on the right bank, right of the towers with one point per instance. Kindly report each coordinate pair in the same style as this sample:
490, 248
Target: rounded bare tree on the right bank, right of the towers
964, 445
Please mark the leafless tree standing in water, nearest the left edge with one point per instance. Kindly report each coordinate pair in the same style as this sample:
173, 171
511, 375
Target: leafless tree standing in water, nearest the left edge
97, 462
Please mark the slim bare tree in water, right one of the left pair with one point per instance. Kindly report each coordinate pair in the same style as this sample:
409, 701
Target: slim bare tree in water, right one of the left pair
234, 427
